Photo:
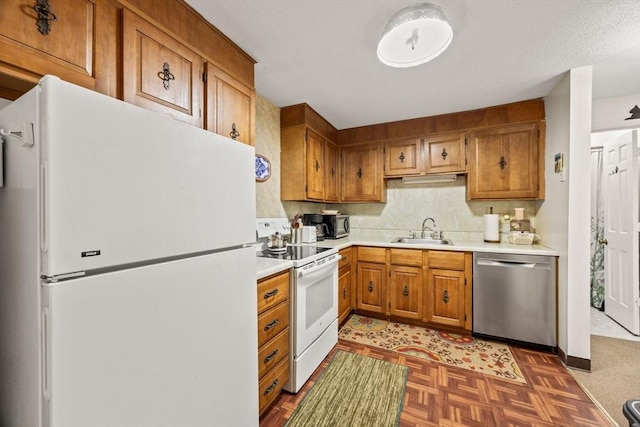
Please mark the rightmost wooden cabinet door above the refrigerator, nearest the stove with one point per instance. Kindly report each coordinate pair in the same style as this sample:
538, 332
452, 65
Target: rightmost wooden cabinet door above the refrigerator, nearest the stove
230, 106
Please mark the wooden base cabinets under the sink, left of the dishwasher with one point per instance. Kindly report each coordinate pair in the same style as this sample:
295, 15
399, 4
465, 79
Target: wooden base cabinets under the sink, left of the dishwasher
424, 286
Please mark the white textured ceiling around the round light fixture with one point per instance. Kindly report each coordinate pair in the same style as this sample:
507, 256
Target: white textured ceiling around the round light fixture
323, 52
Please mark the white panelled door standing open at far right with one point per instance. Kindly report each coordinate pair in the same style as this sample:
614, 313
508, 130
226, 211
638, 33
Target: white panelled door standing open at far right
620, 179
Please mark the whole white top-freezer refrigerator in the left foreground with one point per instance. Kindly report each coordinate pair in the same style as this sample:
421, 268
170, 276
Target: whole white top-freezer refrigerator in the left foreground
127, 295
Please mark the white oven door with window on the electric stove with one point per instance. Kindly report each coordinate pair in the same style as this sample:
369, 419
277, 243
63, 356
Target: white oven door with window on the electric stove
315, 303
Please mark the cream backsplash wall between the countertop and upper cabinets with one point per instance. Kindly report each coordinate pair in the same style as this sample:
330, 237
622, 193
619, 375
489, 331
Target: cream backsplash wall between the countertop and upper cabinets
406, 207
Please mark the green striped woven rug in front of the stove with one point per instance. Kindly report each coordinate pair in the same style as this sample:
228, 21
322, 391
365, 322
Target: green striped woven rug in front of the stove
354, 391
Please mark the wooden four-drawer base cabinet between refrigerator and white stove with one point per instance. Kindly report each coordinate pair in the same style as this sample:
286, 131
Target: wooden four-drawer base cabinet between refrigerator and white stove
273, 337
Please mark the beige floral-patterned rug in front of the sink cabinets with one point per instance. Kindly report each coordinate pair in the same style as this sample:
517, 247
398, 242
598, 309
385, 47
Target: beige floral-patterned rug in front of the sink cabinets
462, 351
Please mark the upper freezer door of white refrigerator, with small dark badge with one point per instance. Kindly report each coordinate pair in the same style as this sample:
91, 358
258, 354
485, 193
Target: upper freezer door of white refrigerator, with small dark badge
123, 185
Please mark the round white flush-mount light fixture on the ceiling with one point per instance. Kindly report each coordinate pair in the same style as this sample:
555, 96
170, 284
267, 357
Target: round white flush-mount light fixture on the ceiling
414, 35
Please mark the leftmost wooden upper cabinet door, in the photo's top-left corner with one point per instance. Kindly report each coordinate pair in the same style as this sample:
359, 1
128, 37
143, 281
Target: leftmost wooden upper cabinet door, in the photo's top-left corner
67, 50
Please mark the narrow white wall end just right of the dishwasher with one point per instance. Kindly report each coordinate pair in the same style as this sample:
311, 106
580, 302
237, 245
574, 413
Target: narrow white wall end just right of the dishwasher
564, 216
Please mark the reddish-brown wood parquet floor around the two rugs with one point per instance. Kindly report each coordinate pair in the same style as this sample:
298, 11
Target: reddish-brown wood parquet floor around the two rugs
439, 395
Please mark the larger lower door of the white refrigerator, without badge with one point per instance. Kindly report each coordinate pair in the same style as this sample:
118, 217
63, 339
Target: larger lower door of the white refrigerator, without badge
173, 344
